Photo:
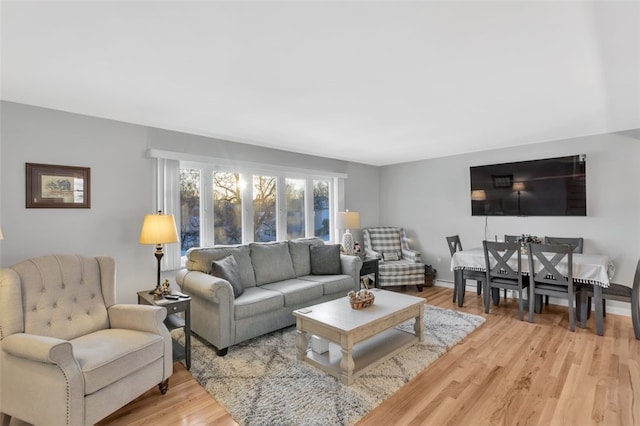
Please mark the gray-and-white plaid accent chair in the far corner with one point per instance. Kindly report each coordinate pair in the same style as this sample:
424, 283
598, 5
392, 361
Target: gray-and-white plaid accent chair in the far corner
399, 265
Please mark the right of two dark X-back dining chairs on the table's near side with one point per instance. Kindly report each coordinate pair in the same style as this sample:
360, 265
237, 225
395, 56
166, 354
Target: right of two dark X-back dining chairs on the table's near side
546, 279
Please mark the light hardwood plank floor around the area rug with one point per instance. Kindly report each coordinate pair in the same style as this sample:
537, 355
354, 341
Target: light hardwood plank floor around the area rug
507, 372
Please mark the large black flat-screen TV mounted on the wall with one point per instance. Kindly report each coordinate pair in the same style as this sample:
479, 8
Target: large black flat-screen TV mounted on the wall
548, 187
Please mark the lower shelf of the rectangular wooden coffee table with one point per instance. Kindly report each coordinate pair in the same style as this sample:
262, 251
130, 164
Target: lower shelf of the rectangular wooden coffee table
366, 354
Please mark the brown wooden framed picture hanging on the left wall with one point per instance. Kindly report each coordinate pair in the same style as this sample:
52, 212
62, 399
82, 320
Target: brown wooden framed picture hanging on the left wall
53, 186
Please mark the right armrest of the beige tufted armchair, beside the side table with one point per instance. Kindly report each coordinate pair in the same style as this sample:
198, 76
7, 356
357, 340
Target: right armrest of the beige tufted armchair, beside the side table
138, 317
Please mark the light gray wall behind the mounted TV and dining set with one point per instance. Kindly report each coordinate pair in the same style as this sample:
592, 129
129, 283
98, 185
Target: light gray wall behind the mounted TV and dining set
437, 201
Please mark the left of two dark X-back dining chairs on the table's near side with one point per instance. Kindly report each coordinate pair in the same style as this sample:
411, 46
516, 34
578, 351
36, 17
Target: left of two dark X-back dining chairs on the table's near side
503, 266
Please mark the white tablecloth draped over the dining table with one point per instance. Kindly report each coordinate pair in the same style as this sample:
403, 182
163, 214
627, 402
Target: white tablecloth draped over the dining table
588, 268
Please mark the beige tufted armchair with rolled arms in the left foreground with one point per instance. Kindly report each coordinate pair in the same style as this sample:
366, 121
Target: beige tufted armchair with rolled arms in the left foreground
68, 354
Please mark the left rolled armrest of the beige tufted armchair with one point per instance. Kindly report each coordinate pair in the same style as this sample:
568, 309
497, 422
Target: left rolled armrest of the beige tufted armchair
44, 349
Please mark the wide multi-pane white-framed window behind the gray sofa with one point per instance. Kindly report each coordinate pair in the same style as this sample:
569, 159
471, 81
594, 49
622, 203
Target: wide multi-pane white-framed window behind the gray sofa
233, 207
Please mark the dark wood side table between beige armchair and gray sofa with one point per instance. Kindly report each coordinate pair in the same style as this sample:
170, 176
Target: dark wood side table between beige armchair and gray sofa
174, 307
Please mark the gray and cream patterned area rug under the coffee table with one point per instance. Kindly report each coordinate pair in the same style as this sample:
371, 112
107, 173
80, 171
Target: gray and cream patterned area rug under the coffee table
260, 382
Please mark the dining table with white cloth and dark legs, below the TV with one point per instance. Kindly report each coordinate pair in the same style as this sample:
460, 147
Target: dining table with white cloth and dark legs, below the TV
593, 269
